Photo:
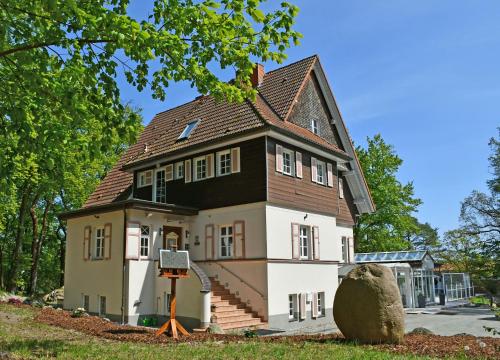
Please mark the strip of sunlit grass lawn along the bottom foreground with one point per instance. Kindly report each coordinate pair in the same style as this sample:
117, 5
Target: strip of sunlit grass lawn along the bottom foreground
23, 338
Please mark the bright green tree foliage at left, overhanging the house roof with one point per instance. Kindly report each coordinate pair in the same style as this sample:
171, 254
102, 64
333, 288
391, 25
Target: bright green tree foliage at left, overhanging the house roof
62, 122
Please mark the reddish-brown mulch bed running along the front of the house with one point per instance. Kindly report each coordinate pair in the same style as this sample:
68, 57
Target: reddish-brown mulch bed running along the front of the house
417, 344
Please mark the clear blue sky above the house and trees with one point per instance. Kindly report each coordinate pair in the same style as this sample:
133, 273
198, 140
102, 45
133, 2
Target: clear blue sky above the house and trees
425, 74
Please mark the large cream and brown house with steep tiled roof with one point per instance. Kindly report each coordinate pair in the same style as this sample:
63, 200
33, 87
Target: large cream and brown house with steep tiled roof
263, 194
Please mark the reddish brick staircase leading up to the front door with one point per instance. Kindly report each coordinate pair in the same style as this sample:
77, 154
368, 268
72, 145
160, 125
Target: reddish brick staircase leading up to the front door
229, 312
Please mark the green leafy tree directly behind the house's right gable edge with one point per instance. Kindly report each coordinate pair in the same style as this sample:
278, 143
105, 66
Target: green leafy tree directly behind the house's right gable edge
391, 226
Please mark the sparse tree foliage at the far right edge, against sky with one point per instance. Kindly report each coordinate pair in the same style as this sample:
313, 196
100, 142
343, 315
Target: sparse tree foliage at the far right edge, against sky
475, 245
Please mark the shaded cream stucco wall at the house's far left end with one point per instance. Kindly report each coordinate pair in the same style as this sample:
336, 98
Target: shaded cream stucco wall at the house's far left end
94, 277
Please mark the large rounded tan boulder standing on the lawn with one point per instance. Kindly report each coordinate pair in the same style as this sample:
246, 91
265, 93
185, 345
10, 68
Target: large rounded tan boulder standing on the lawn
367, 306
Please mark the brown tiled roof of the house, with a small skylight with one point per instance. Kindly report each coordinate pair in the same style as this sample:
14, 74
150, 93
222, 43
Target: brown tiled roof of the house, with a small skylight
218, 119
